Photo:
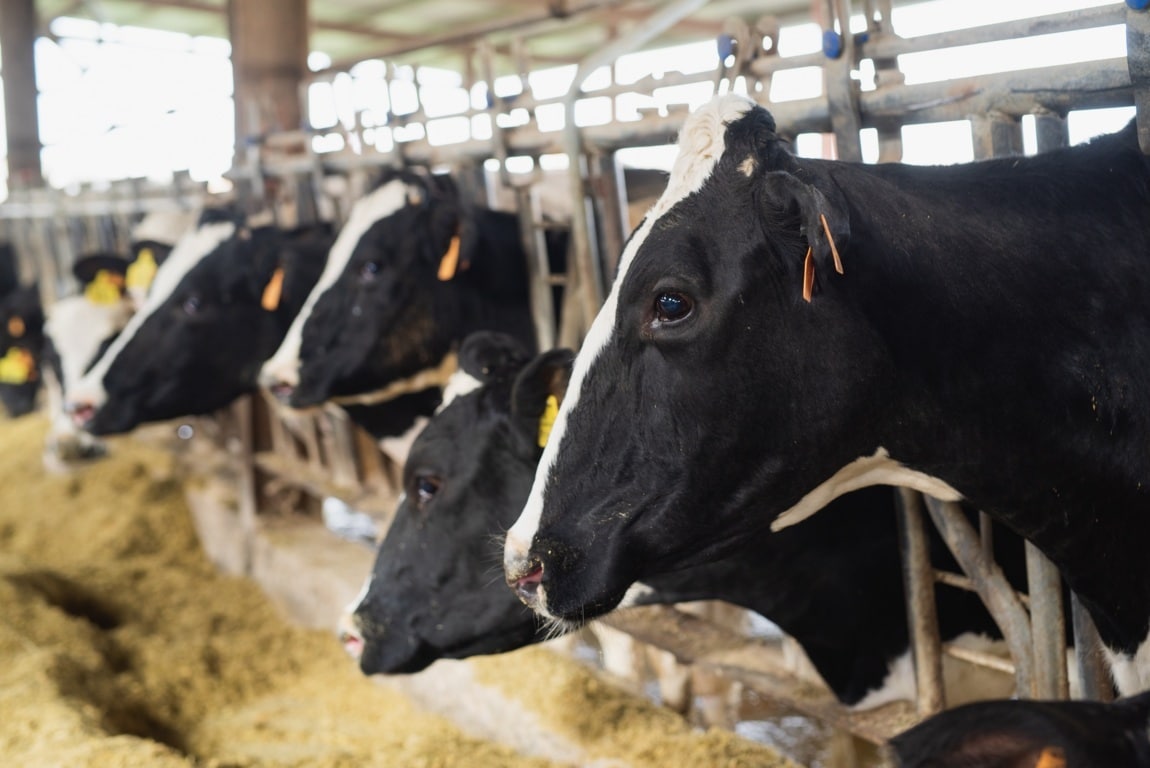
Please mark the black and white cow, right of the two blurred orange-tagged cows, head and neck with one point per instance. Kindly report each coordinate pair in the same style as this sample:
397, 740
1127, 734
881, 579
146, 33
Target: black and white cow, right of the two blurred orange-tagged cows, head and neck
415, 270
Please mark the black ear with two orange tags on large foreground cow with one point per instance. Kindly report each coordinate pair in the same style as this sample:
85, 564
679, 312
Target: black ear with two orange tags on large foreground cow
824, 220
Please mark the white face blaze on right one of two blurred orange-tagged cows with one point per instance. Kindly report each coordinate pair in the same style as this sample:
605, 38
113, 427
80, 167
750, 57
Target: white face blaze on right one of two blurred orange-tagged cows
382, 203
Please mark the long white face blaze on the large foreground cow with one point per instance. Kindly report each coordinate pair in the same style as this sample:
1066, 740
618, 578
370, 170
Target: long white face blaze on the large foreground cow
701, 144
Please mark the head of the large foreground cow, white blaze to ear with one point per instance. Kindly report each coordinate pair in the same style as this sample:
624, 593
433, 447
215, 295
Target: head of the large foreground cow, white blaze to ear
688, 404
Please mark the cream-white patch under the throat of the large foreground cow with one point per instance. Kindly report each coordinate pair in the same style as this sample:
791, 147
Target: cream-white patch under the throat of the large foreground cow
878, 470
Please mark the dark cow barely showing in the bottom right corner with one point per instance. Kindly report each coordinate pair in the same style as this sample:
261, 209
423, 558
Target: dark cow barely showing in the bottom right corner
1031, 735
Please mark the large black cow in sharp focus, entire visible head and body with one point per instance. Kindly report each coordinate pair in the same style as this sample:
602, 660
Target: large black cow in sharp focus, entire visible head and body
784, 332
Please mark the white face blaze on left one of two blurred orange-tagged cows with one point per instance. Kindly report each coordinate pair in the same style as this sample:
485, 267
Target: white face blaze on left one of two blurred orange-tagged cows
189, 252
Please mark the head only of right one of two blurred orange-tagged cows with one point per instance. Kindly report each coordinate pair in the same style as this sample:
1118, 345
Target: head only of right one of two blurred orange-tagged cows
388, 306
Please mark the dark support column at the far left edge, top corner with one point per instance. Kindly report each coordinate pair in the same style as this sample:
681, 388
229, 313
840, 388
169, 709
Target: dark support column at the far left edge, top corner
18, 63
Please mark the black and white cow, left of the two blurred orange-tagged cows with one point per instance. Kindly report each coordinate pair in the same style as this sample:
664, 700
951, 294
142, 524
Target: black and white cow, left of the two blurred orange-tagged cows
219, 308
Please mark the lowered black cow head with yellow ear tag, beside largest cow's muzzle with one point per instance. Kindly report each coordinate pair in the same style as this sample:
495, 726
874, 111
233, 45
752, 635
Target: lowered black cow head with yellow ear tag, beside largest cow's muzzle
436, 589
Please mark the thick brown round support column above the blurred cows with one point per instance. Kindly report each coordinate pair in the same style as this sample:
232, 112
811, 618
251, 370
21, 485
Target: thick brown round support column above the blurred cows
270, 62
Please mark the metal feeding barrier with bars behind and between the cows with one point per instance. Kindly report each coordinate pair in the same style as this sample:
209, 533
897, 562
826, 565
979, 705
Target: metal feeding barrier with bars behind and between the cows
324, 456
